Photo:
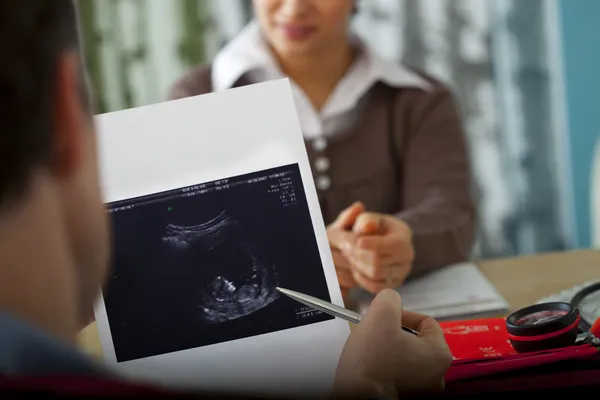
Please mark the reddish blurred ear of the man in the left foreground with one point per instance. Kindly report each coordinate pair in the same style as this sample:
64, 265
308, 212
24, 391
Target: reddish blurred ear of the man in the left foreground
70, 116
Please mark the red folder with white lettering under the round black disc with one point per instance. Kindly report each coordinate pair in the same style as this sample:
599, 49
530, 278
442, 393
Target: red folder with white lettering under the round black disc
484, 360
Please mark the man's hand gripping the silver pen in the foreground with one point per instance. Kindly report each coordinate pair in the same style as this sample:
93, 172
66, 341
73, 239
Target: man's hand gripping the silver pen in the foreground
380, 358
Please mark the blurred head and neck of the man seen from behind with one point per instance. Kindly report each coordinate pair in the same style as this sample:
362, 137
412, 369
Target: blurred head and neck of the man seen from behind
53, 228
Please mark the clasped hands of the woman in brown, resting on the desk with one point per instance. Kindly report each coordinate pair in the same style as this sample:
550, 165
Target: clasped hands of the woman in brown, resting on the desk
376, 250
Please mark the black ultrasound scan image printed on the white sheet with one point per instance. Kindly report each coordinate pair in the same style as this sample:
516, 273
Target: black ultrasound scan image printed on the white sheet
199, 265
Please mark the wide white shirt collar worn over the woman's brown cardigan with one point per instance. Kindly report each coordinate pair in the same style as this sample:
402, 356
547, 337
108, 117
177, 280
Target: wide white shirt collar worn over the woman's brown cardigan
248, 53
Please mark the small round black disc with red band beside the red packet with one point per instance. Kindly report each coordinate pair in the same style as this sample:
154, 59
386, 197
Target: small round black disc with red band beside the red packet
543, 327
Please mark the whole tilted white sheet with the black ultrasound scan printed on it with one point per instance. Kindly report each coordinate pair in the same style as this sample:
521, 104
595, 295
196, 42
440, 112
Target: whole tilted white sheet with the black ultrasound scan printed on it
230, 201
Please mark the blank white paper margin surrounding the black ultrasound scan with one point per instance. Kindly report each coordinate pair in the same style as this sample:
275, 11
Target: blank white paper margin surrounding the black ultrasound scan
215, 136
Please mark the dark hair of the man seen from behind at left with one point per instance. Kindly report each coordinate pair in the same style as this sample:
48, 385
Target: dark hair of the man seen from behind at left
33, 35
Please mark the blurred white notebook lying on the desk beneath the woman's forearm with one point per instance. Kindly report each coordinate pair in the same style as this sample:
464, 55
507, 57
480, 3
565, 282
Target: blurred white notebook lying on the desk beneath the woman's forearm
459, 291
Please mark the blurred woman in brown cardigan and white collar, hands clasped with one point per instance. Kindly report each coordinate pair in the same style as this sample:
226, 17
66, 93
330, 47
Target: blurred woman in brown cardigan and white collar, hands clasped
386, 144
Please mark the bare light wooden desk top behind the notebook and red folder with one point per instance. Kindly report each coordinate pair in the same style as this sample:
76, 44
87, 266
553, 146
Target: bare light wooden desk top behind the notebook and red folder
522, 281
